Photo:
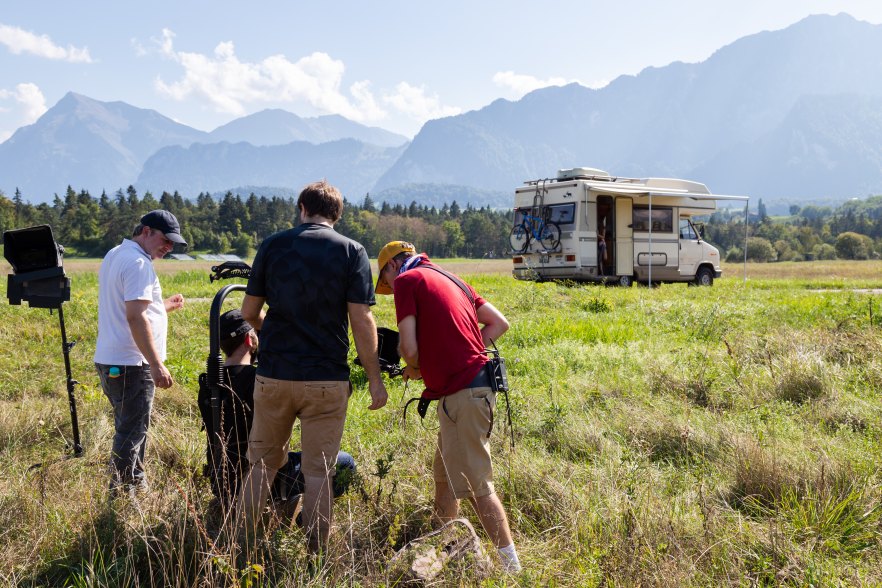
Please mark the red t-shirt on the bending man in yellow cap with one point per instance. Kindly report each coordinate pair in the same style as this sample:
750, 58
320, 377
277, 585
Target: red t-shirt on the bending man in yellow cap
448, 335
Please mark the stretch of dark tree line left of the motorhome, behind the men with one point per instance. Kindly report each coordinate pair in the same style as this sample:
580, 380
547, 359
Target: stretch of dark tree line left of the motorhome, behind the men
89, 226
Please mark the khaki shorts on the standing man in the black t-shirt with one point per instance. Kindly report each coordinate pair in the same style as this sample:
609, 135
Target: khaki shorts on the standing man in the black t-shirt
321, 408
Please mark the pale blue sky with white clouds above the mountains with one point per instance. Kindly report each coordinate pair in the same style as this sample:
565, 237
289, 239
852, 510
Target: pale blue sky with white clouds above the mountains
392, 64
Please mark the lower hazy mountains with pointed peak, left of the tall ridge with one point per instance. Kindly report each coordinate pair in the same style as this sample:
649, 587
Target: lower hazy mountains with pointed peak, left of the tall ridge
94, 145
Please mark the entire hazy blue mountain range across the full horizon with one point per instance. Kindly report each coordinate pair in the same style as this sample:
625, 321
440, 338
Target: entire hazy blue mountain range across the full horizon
793, 115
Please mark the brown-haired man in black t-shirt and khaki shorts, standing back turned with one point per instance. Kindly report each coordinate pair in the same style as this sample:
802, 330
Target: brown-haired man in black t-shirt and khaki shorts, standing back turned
315, 282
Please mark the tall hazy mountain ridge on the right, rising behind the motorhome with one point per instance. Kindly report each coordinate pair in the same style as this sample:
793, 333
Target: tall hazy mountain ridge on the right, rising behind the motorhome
669, 121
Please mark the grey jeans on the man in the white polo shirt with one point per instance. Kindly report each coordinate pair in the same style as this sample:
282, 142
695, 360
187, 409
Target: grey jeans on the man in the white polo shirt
130, 389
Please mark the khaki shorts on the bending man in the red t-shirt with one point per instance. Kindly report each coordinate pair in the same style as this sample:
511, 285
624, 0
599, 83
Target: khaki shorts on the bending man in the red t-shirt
463, 455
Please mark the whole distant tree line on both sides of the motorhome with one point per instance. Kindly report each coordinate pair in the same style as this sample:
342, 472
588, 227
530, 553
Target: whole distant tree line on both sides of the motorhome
89, 226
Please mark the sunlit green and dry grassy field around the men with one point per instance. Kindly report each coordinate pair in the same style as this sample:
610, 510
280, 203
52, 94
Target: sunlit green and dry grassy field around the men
673, 436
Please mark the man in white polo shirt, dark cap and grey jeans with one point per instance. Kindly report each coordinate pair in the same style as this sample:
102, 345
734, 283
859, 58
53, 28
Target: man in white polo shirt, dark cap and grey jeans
132, 327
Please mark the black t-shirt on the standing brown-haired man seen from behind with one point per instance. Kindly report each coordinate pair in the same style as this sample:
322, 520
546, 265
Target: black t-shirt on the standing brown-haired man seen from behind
308, 275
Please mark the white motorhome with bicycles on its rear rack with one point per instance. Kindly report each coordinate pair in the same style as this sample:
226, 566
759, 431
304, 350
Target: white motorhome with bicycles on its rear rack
562, 227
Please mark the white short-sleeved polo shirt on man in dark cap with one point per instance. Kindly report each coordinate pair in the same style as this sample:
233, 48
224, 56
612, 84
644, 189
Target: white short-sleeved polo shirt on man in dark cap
127, 274
